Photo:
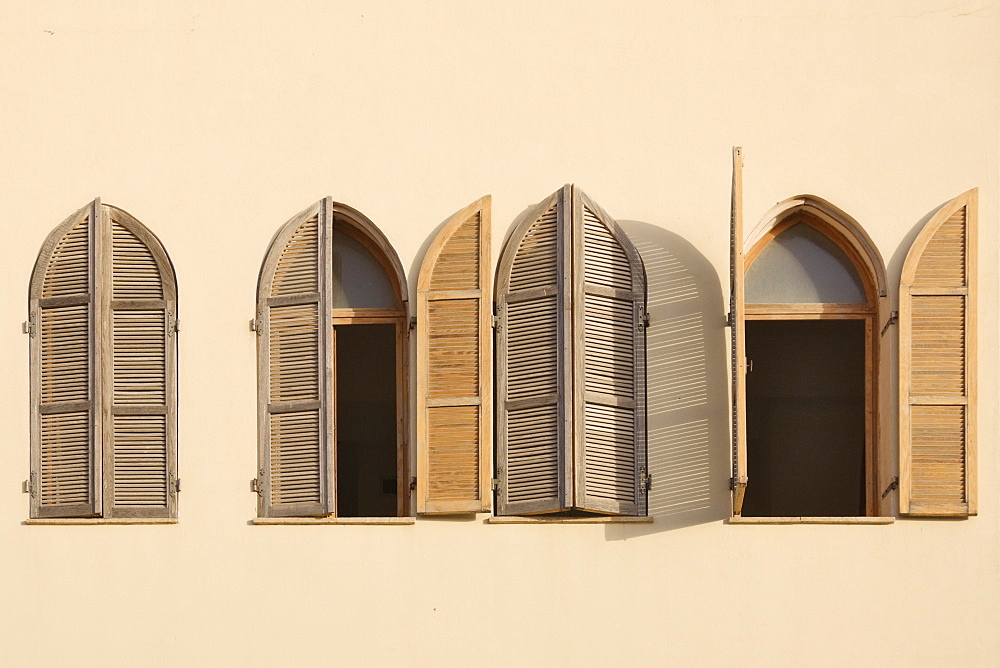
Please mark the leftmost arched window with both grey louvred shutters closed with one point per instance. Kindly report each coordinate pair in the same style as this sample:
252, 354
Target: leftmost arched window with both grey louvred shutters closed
102, 318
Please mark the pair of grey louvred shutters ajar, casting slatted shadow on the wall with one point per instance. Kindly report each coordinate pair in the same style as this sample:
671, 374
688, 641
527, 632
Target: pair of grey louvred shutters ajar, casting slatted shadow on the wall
571, 414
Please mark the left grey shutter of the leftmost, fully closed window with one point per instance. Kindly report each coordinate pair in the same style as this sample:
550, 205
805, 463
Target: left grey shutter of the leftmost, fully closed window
65, 455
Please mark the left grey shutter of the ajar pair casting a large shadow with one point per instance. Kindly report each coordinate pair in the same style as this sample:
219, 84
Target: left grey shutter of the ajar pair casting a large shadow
533, 376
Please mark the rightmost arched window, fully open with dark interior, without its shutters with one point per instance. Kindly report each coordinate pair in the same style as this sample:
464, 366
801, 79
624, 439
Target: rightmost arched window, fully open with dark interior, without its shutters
813, 304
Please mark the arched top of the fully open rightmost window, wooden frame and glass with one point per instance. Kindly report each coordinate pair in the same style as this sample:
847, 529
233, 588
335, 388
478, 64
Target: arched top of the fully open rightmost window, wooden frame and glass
812, 252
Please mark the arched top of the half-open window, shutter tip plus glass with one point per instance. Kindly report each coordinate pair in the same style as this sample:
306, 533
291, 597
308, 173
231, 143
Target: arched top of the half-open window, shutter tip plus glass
365, 271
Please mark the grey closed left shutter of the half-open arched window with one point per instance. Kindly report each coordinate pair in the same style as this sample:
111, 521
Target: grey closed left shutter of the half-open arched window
294, 377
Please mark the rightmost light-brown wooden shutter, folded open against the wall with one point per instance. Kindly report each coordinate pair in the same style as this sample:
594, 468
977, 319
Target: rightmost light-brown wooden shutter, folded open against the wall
937, 365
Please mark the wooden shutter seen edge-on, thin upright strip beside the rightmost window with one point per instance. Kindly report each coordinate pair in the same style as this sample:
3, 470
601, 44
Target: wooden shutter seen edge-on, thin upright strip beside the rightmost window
737, 323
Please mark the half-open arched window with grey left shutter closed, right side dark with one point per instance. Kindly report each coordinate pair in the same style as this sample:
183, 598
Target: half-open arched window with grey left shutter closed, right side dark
331, 327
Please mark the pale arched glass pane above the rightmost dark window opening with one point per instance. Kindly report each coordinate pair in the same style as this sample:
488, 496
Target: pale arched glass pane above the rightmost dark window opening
801, 265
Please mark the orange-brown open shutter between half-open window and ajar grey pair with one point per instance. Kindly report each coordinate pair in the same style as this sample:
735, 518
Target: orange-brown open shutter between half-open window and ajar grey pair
454, 361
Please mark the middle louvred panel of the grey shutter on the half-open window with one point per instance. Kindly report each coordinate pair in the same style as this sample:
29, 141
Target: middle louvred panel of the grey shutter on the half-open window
294, 353
